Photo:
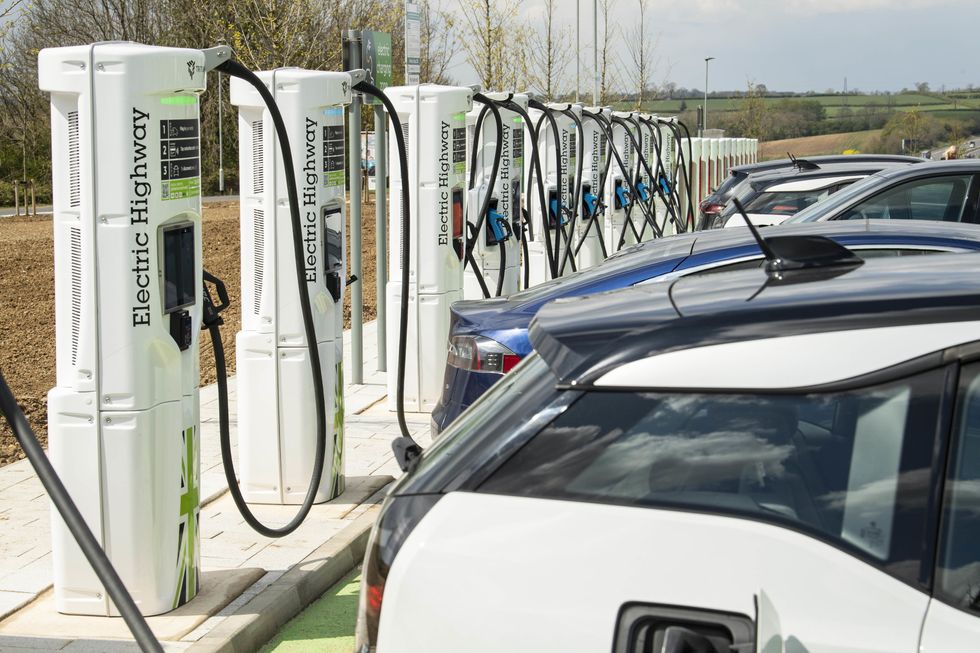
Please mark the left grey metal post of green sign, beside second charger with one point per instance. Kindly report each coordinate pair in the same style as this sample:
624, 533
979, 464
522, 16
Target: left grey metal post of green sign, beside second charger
354, 162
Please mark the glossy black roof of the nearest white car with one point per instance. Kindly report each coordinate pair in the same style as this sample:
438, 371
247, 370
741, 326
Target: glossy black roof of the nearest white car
584, 338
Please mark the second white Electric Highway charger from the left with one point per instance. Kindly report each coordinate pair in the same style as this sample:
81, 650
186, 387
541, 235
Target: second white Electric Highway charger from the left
276, 417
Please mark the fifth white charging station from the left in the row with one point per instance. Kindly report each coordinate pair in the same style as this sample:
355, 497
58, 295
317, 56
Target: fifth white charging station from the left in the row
558, 156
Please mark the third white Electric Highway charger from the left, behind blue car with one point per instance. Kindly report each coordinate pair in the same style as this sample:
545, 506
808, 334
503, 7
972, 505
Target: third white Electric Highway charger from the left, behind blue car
433, 120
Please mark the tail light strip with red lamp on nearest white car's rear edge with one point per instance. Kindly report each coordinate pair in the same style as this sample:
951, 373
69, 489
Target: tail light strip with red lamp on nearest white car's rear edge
399, 517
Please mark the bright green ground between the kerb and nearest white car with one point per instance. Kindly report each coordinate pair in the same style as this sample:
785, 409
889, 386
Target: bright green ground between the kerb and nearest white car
326, 626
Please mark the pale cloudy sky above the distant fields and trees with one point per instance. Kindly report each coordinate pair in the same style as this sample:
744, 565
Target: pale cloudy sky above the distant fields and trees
794, 45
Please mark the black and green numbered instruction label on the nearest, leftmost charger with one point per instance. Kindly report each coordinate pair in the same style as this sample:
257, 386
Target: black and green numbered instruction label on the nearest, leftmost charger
180, 158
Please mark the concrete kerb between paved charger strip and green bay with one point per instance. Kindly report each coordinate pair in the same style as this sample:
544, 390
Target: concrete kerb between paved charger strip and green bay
256, 622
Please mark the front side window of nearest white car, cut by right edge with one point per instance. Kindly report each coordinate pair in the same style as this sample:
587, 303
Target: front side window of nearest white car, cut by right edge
958, 564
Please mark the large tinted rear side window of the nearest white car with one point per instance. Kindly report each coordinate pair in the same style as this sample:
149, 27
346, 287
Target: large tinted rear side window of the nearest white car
847, 467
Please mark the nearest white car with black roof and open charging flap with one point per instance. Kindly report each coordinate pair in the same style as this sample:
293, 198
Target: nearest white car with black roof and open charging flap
764, 460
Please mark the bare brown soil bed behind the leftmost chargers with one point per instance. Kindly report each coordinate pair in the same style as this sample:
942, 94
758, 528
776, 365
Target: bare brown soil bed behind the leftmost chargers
27, 348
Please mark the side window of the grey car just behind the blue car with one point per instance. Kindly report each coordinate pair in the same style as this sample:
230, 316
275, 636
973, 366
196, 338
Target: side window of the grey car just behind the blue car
936, 198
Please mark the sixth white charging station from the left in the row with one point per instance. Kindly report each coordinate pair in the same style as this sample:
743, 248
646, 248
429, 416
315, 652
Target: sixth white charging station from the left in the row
590, 227
